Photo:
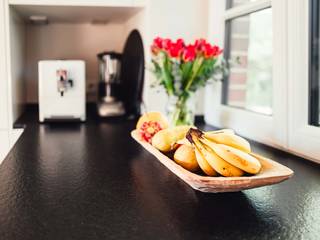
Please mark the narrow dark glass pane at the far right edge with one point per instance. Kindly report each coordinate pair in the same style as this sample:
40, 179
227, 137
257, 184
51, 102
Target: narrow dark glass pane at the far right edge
314, 109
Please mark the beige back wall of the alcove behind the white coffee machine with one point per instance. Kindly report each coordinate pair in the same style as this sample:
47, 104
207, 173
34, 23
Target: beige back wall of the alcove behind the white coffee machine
70, 41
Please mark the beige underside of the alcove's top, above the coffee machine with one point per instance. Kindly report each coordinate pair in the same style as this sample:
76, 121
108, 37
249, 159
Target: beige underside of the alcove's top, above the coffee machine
78, 14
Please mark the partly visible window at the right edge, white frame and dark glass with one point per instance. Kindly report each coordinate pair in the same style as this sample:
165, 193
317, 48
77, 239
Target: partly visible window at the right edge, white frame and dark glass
303, 78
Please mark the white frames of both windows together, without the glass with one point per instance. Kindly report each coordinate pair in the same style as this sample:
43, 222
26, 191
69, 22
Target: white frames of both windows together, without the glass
288, 128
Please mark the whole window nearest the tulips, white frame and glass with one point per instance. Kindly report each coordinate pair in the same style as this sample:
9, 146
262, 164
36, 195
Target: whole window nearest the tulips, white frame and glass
253, 99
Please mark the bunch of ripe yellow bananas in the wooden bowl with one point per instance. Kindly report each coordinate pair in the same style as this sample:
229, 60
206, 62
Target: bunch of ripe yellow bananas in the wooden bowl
222, 152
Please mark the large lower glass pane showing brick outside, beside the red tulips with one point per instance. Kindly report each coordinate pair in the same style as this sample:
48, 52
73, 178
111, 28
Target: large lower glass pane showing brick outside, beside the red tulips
249, 40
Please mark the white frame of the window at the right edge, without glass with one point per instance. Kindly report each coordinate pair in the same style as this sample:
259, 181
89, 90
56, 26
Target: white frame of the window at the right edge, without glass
303, 138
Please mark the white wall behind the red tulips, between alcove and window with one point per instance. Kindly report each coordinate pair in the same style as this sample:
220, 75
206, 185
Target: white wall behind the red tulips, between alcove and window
187, 19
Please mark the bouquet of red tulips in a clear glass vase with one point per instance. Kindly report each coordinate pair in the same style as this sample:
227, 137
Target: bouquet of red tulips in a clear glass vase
182, 69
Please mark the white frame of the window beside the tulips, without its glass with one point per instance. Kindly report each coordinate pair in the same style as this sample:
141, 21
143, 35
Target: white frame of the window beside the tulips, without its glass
271, 130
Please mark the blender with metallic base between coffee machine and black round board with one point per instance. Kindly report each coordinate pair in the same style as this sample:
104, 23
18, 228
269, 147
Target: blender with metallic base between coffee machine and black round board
109, 104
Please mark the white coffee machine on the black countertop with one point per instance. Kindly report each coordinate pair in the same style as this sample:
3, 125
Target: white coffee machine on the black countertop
62, 90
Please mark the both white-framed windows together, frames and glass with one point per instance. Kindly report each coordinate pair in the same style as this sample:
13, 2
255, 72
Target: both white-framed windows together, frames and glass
280, 99
